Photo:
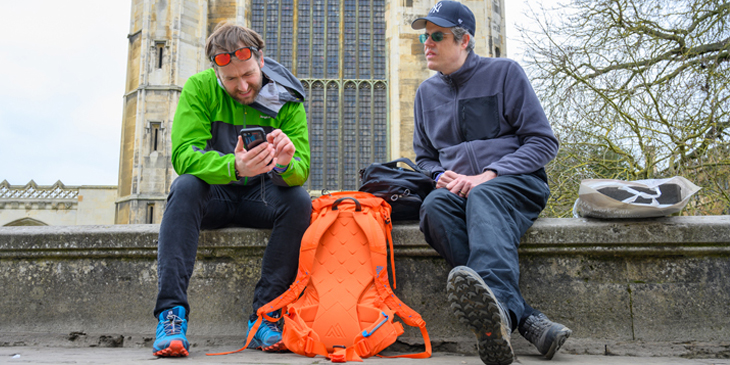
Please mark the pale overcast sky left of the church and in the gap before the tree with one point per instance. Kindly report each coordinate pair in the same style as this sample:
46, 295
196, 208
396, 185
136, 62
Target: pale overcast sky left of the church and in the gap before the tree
62, 73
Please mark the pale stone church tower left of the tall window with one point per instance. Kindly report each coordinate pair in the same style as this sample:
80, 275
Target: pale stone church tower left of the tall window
166, 46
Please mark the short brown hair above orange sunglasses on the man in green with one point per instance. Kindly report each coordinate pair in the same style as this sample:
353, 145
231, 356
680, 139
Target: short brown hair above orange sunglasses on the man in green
228, 37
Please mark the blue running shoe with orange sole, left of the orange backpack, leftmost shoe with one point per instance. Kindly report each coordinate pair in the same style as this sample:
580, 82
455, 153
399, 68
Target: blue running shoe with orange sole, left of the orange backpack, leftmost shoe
171, 340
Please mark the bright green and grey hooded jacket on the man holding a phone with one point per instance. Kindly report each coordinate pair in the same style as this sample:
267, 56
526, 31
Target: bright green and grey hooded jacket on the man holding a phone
207, 124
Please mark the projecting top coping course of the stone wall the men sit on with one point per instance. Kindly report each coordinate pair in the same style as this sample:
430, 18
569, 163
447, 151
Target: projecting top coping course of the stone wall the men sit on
704, 235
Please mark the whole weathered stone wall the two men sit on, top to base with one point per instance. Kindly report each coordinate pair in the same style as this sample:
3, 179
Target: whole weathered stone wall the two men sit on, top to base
621, 283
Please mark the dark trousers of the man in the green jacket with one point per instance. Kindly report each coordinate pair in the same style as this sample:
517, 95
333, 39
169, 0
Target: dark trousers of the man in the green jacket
193, 205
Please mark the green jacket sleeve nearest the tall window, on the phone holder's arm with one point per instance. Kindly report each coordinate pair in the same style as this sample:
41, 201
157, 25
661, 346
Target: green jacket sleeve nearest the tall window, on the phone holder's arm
293, 122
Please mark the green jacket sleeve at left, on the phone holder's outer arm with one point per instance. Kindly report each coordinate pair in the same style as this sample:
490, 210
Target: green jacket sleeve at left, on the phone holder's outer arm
190, 136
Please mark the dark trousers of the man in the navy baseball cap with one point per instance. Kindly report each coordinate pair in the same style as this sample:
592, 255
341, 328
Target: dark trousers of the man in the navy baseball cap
483, 232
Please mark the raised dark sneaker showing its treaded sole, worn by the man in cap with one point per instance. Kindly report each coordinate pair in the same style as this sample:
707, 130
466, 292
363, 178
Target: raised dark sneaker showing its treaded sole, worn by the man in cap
476, 306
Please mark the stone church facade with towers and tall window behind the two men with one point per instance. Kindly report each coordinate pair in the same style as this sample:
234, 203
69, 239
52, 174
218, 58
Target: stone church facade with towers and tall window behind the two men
359, 61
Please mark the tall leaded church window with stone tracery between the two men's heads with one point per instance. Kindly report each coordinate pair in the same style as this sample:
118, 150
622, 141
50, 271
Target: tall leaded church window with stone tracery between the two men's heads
337, 49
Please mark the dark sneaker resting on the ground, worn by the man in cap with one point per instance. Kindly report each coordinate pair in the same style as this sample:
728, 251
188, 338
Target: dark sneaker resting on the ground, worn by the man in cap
545, 334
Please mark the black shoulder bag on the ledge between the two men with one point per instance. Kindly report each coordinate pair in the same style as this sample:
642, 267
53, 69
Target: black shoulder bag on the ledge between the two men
404, 189
